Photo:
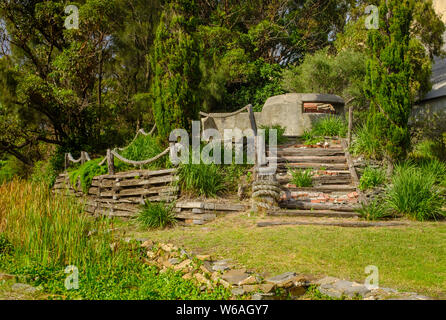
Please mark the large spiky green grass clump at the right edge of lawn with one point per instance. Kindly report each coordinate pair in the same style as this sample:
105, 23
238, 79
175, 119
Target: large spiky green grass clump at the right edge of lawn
414, 193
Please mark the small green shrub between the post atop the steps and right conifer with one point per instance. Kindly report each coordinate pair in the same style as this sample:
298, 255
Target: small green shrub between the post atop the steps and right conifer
366, 143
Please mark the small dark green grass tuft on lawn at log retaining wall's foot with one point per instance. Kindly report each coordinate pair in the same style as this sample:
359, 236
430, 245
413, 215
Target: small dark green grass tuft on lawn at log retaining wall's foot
156, 215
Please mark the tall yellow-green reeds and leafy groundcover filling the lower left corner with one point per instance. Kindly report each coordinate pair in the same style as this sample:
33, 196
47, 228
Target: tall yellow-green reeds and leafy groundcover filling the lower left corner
50, 233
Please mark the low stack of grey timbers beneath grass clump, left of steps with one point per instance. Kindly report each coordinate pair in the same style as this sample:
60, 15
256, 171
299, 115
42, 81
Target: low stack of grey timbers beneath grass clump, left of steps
201, 212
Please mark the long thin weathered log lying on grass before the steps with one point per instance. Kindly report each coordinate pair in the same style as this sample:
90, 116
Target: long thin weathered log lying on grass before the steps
334, 224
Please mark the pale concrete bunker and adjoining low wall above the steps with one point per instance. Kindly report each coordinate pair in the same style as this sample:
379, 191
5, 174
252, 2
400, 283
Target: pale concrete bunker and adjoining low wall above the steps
285, 110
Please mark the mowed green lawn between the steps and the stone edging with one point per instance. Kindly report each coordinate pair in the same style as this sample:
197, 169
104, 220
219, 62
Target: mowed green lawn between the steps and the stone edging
409, 258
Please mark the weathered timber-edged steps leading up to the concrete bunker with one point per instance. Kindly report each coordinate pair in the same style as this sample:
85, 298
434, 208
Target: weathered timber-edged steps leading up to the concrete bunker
334, 192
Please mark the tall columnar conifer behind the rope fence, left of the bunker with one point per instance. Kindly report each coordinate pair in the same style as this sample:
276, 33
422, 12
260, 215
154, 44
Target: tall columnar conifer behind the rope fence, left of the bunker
177, 73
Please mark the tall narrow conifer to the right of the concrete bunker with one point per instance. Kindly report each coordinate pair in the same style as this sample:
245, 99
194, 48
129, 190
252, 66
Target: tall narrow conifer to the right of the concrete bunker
389, 72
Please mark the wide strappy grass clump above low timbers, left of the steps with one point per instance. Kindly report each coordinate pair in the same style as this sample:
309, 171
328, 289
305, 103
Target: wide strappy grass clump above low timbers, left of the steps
201, 179
